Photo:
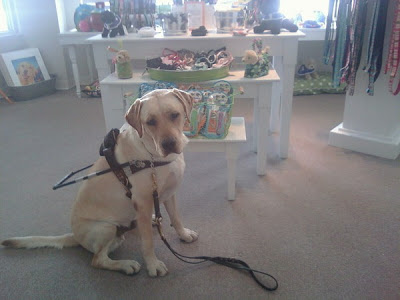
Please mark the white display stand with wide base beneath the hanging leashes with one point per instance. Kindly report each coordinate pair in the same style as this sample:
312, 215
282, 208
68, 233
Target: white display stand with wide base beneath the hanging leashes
371, 124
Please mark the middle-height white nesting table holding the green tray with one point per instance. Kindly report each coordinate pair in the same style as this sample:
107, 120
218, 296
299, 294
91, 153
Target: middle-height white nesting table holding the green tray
114, 106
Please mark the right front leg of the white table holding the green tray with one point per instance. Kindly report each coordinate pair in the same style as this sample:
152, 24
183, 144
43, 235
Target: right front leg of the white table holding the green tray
264, 112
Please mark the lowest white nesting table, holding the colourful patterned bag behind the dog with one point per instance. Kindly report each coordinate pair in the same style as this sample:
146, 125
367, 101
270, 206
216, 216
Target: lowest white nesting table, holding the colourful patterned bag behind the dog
230, 145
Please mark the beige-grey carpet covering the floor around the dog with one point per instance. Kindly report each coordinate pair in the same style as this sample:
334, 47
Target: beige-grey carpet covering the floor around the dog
325, 221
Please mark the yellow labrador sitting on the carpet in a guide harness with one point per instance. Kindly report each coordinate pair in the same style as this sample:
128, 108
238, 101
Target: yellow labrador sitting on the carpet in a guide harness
102, 212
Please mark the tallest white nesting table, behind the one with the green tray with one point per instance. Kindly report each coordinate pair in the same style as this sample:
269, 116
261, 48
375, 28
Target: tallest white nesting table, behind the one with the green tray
283, 47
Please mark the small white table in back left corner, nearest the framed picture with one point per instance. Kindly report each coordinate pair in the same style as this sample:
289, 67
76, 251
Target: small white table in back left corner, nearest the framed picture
71, 40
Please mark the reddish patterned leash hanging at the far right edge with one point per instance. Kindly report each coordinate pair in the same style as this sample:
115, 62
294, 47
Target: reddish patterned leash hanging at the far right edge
393, 61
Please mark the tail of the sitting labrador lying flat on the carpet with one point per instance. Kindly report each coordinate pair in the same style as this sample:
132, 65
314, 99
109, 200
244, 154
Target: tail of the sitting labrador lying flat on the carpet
30, 242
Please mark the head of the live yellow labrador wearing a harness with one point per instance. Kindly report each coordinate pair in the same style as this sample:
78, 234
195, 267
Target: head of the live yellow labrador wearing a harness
158, 118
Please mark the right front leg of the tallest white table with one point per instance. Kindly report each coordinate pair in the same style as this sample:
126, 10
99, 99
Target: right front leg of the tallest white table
289, 64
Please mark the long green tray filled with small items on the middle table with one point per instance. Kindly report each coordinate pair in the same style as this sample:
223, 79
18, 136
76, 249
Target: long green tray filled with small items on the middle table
188, 76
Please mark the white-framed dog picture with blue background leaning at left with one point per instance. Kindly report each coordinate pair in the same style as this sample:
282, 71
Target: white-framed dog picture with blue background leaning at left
23, 67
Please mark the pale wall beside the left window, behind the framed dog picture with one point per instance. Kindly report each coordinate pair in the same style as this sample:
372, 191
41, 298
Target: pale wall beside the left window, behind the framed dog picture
38, 28
